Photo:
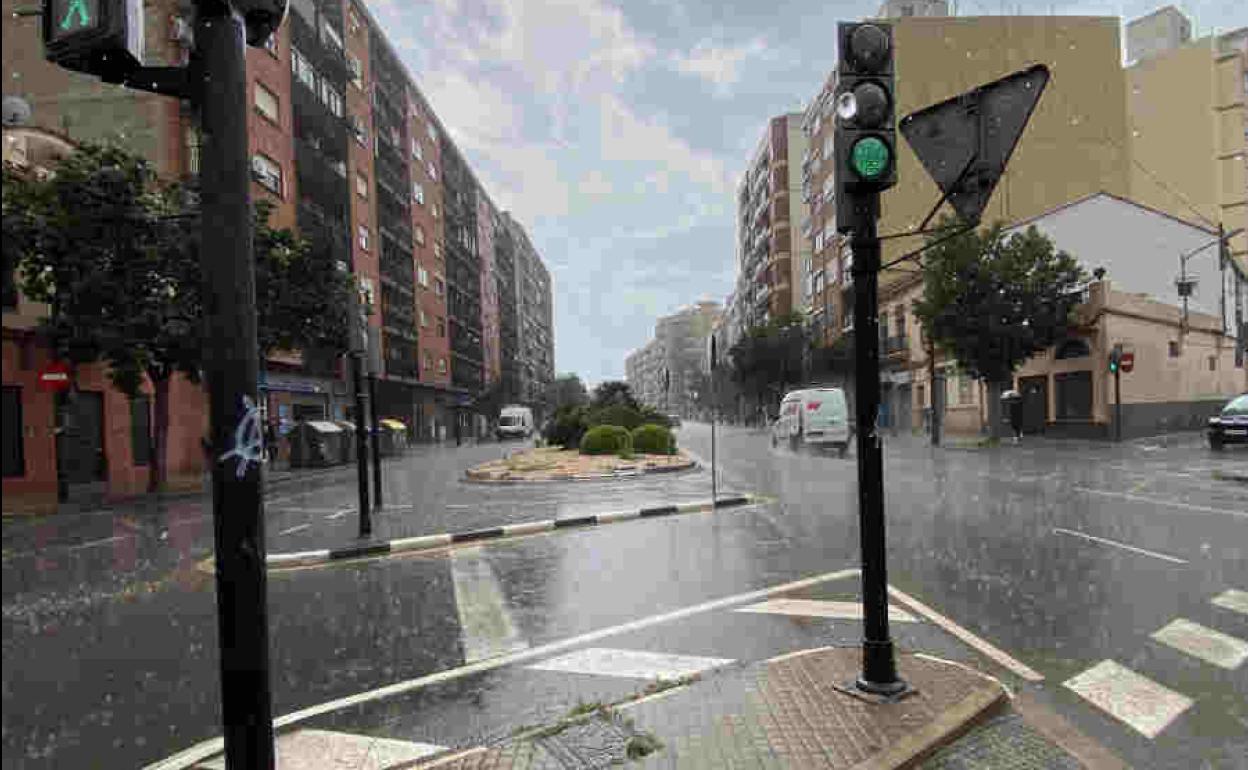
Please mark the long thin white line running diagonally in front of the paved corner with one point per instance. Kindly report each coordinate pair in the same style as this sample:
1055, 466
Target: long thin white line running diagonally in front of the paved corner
188, 758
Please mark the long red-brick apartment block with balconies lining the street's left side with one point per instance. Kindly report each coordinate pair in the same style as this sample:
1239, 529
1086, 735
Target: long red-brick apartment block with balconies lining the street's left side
354, 158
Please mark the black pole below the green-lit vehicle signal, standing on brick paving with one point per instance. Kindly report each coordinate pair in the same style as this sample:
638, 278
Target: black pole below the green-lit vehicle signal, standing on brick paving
879, 665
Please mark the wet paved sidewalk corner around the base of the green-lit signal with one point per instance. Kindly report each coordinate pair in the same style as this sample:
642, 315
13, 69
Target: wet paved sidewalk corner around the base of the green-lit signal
797, 711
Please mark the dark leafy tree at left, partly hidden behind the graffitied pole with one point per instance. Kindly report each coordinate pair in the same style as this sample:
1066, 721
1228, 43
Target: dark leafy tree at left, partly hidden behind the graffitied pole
115, 255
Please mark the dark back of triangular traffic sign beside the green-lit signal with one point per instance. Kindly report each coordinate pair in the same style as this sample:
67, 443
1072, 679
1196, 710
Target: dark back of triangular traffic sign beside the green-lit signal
964, 143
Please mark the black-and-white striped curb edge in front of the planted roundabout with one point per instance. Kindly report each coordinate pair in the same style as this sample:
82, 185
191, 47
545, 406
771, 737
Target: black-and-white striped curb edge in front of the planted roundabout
429, 542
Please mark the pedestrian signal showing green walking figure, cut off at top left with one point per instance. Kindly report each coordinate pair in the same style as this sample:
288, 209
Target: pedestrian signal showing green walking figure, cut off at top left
103, 38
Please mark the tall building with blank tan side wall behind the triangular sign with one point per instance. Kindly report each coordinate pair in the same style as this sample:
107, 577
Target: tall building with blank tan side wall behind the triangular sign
1075, 145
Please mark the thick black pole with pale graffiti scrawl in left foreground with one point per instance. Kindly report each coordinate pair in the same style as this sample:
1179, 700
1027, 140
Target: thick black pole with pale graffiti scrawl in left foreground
232, 368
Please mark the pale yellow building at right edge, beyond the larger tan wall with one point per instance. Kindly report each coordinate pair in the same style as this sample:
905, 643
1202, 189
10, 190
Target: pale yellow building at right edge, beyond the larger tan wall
1189, 133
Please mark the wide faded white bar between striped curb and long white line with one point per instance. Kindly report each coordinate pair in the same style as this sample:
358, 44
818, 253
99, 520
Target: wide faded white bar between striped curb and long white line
486, 626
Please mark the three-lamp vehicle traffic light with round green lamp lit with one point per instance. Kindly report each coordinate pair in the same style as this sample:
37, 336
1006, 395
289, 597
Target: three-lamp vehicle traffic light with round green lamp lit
865, 139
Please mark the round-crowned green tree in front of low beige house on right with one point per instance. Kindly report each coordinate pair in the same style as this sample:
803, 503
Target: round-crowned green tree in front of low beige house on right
993, 300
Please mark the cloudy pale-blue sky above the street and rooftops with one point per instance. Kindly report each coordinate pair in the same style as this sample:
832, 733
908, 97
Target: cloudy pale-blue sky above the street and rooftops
616, 132
